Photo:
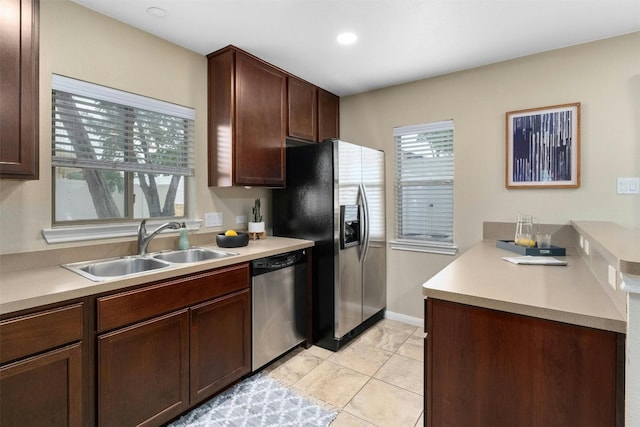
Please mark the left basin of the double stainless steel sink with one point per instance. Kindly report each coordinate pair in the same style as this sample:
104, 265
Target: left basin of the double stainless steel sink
116, 267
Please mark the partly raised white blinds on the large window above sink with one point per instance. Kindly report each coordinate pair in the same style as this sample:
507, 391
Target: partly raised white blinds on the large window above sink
103, 128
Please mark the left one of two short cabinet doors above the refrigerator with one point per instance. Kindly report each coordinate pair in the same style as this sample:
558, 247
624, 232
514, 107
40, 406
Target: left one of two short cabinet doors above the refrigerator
303, 110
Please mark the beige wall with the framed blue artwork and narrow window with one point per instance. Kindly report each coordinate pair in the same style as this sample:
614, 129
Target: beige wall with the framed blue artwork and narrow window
604, 76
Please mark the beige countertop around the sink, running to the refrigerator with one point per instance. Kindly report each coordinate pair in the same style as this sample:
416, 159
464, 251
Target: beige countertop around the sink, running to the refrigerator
21, 290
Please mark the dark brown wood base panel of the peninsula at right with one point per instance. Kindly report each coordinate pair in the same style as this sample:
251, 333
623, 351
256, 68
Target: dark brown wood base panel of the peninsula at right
490, 368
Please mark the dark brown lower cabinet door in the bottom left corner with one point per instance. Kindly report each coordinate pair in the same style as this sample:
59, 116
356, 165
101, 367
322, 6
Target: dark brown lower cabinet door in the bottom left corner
44, 390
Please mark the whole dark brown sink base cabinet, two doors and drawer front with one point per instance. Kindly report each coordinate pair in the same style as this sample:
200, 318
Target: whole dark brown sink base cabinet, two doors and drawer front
166, 347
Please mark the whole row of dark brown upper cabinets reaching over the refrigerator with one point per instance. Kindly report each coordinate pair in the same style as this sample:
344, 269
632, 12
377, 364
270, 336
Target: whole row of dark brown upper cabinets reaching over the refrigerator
253, 108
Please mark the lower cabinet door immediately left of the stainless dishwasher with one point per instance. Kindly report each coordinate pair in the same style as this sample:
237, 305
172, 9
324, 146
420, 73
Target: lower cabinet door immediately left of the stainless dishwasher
220, 344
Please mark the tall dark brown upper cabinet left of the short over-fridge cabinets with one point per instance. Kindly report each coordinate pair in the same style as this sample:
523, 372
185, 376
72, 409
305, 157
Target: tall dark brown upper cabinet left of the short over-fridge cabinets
247, 128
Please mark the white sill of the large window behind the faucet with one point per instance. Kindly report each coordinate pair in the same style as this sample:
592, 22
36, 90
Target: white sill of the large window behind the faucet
107, 231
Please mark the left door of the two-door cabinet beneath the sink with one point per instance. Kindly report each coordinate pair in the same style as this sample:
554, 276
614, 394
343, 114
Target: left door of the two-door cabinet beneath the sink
143, 372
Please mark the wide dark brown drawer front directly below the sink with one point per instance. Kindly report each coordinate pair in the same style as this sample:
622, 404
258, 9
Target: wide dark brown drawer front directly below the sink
133, 306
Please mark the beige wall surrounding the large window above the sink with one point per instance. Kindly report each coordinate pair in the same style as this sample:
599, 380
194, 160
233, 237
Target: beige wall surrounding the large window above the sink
79, 43
